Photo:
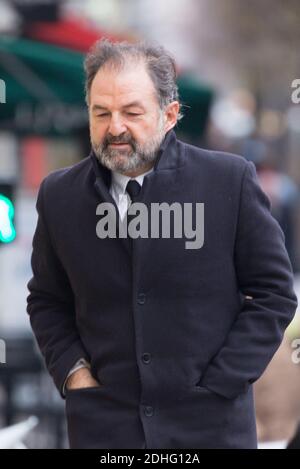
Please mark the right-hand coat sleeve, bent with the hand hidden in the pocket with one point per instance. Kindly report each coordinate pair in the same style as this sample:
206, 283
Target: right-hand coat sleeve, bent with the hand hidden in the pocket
264, 274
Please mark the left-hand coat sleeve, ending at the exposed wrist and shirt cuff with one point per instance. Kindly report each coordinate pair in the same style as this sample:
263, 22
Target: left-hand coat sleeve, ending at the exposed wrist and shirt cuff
50, 305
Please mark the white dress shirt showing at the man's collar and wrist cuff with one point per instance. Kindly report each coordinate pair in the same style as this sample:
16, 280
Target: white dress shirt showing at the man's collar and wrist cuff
118, 192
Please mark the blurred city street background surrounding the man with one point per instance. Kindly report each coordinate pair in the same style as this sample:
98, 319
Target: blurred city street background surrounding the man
236, 65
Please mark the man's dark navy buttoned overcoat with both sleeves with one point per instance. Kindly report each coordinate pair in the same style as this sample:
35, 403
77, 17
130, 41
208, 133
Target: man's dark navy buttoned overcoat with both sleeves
176, 337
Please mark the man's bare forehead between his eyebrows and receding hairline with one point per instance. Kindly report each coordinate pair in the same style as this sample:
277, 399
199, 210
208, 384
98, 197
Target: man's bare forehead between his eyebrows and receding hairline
133, 83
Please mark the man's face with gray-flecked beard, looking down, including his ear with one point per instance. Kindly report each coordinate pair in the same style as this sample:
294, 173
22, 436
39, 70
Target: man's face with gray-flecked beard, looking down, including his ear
127, 123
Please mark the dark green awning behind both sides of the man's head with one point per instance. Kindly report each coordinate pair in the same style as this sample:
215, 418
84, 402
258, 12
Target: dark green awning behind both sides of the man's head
45, 90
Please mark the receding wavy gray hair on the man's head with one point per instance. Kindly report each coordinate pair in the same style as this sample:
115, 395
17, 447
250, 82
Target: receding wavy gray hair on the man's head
160, 64
